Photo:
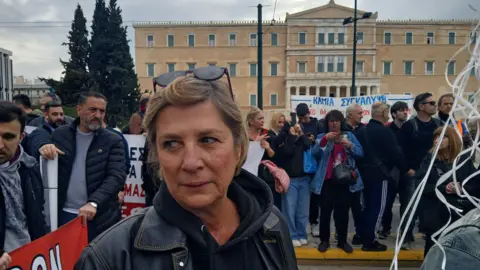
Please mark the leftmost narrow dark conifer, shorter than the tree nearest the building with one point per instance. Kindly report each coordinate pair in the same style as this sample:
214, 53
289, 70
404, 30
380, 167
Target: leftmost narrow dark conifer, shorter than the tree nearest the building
76, 77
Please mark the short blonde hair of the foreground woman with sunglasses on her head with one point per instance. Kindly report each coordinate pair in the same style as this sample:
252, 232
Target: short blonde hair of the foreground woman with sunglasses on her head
189, 91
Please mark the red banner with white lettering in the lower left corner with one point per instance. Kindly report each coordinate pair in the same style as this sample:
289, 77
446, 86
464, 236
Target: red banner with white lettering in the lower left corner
57, 250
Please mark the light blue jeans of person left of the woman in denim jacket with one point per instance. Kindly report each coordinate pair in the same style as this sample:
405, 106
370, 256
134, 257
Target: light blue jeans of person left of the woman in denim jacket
295, 206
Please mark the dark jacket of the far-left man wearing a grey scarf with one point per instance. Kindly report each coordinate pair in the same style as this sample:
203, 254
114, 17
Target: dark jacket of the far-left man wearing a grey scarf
33, 201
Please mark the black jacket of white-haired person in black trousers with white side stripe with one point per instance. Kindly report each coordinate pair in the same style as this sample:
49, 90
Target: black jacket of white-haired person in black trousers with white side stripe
382, 143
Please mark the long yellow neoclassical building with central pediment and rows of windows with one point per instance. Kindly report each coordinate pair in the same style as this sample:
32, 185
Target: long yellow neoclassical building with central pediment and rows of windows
310, 53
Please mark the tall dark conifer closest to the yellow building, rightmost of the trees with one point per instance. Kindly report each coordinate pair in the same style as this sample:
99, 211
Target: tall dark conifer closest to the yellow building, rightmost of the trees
121, 82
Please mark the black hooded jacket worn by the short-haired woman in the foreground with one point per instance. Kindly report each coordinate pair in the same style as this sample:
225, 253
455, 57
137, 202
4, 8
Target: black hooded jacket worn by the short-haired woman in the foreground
166, 236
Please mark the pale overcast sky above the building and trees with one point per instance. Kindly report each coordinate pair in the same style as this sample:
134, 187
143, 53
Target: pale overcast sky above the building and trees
35, 29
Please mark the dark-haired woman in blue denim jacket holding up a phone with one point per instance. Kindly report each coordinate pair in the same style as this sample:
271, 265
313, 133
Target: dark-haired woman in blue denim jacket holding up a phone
340, 147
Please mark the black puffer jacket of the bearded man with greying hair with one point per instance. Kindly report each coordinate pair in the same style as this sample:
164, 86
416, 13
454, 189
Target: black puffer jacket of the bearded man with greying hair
105, 171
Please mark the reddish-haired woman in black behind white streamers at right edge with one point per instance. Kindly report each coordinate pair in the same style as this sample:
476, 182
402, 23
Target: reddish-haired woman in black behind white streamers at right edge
433, 214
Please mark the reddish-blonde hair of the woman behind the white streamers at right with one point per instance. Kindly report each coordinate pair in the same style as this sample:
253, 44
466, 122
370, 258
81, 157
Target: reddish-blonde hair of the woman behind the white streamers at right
454, 148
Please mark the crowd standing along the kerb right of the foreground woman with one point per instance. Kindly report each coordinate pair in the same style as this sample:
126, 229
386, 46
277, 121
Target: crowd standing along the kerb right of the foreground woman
362, 167
